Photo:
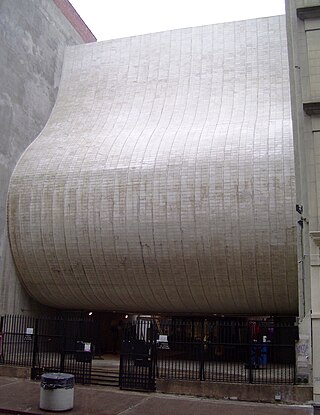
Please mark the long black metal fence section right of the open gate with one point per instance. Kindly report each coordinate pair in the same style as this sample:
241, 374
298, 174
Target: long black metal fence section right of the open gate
226, 351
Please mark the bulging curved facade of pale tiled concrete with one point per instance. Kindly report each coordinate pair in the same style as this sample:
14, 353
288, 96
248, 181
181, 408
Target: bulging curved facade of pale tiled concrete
164, 178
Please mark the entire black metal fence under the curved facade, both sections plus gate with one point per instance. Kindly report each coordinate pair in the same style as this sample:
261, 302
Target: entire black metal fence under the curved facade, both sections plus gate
216, 350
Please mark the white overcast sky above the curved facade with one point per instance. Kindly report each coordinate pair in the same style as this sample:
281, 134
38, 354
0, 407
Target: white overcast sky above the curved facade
110, 19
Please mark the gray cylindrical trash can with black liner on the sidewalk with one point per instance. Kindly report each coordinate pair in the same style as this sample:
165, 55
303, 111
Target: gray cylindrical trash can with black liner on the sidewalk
56, 391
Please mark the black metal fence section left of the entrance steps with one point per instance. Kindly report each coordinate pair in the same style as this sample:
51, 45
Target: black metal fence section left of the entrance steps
48, 345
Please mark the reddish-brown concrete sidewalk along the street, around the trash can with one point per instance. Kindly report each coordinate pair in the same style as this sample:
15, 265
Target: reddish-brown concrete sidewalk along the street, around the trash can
22, 396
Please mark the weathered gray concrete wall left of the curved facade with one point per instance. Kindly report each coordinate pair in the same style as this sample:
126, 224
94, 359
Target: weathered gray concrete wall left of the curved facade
33, 36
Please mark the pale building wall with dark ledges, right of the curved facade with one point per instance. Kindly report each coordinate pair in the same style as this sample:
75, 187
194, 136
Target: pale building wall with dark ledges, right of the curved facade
303, 25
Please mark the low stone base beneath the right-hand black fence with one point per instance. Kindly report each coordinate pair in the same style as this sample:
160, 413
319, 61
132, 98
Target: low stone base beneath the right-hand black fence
289, 394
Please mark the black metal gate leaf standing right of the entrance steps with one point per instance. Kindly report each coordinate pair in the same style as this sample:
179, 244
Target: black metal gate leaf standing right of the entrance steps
138, 356
